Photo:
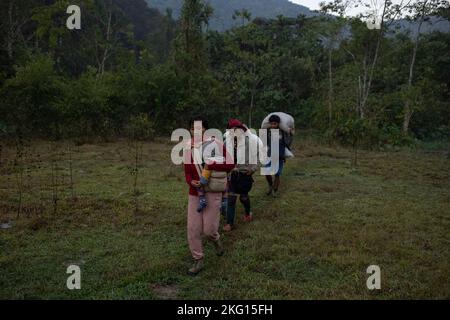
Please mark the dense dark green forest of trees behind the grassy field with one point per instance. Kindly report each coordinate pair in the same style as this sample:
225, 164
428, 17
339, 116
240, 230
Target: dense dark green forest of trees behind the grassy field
133, 69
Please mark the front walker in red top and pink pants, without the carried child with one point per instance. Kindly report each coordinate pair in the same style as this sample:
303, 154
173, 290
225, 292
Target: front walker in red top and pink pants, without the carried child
206, 222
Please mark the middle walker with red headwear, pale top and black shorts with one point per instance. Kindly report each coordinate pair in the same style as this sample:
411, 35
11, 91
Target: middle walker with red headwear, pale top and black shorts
241, 180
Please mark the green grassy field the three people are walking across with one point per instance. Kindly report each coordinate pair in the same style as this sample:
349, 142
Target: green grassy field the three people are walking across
330, 222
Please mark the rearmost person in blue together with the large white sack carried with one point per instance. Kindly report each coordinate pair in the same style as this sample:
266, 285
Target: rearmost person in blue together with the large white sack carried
285, 123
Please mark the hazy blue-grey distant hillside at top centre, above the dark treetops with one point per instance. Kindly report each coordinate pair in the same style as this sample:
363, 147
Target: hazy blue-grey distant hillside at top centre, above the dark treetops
224, 9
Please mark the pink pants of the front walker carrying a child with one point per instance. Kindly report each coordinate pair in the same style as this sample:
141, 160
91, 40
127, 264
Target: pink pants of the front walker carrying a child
203, 223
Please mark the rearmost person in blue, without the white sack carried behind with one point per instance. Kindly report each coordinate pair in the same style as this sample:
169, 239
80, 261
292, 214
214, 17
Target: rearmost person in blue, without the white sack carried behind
274, 182
